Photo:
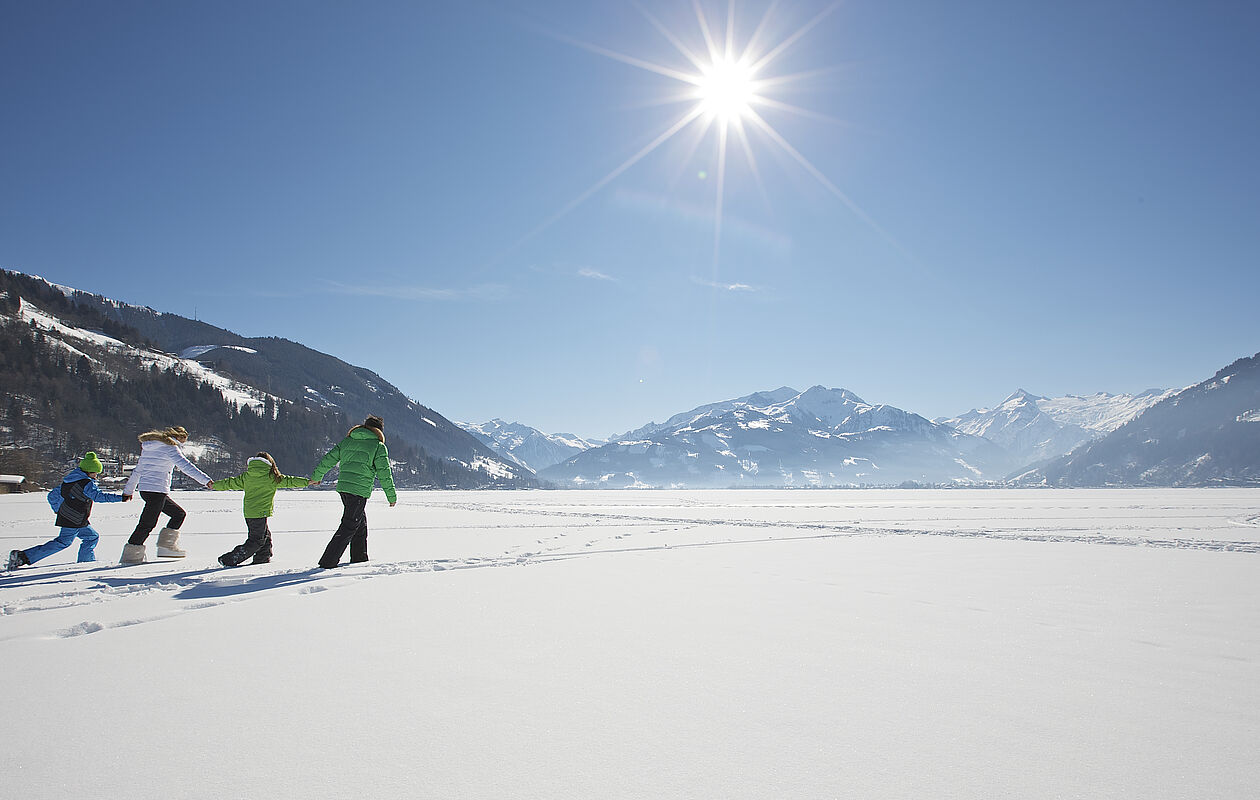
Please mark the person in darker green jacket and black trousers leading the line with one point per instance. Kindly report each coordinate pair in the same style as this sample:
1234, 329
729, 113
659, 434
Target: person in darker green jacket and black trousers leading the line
365, 459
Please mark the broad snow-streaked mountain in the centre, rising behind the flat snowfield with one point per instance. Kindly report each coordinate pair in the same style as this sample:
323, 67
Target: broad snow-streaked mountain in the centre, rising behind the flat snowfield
818, 438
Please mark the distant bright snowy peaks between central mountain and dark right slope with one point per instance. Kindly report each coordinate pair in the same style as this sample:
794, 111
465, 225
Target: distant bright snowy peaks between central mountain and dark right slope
1035, 429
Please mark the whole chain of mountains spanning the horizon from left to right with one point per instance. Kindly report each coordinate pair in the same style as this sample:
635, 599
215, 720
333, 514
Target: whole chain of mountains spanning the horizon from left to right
783, 438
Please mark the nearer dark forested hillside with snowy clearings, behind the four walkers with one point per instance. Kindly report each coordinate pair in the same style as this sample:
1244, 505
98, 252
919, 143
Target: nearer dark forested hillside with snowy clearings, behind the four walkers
101, 384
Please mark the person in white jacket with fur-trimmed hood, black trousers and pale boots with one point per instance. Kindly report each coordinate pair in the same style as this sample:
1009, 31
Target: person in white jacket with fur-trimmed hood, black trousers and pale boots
159, 457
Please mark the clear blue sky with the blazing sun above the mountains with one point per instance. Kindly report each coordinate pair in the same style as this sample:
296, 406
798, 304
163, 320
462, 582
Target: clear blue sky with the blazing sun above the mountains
944, 201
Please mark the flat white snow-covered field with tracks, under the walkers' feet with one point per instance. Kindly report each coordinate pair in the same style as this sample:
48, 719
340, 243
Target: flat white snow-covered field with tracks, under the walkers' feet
650, 644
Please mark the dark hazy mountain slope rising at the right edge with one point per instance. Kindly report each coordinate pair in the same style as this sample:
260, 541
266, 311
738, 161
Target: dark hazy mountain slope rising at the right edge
1205, 435
